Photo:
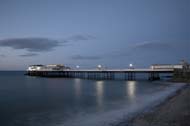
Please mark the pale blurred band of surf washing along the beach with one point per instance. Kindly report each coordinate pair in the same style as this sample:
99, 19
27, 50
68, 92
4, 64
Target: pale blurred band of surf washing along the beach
124, 112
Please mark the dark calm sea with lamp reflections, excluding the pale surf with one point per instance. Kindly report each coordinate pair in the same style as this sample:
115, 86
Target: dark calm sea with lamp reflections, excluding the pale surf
23, 98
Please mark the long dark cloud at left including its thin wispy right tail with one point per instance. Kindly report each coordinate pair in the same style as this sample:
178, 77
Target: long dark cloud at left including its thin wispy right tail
41, 44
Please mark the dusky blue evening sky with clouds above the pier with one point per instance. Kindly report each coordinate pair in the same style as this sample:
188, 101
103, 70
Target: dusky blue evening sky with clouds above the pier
113, 33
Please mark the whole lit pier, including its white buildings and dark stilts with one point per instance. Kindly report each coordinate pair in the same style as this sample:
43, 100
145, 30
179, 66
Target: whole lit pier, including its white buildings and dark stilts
126, 74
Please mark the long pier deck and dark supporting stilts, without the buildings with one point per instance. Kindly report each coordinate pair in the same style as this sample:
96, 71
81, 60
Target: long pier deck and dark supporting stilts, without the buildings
108, 74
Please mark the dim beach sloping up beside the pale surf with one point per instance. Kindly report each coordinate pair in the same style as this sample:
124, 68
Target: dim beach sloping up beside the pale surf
174, 110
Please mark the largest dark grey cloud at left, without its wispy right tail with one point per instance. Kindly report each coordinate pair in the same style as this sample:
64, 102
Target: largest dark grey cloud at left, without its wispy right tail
31, 44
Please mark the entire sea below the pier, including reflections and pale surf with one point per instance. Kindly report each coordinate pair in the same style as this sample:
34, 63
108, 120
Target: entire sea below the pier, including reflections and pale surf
35, 101
